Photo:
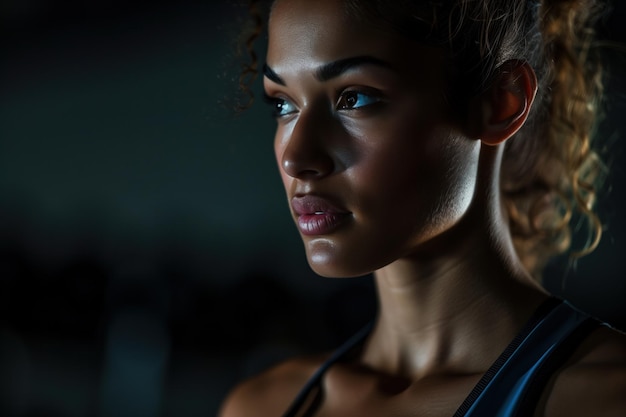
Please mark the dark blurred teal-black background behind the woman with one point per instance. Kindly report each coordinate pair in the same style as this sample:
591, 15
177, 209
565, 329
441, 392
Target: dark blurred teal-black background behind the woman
147, 257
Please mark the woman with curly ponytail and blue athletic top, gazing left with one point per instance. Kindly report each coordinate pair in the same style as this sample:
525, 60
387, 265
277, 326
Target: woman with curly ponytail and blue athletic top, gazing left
437, 145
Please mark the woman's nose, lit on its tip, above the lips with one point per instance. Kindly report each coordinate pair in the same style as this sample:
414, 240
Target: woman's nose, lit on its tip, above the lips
306, 150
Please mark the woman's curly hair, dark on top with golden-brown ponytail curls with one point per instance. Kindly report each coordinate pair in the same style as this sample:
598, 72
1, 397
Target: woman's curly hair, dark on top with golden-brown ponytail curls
550, 172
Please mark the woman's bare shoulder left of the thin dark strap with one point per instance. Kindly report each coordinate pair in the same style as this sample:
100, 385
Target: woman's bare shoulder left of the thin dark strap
271, 392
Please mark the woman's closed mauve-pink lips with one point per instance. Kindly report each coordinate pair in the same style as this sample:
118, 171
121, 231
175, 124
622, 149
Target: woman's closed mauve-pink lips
317, 215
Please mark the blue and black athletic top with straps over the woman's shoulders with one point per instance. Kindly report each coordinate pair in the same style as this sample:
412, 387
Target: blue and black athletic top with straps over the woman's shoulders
513, 384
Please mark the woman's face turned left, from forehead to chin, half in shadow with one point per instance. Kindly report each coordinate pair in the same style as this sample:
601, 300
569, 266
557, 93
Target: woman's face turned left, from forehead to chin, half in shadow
373, 163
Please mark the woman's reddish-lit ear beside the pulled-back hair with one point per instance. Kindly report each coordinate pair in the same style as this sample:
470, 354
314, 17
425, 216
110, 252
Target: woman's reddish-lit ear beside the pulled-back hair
506, 104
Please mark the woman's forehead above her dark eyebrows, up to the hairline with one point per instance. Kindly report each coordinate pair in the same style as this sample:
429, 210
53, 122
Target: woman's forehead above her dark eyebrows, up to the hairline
311, 33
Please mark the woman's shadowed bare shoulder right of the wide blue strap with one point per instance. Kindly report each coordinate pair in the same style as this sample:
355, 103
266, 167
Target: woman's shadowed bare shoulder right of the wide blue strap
593, 383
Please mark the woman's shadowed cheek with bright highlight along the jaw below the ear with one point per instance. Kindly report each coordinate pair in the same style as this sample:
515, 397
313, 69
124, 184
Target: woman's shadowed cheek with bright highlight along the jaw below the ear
420, 185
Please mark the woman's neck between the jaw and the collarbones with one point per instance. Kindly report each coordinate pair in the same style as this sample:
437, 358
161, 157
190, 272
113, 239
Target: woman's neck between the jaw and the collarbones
453, 307
